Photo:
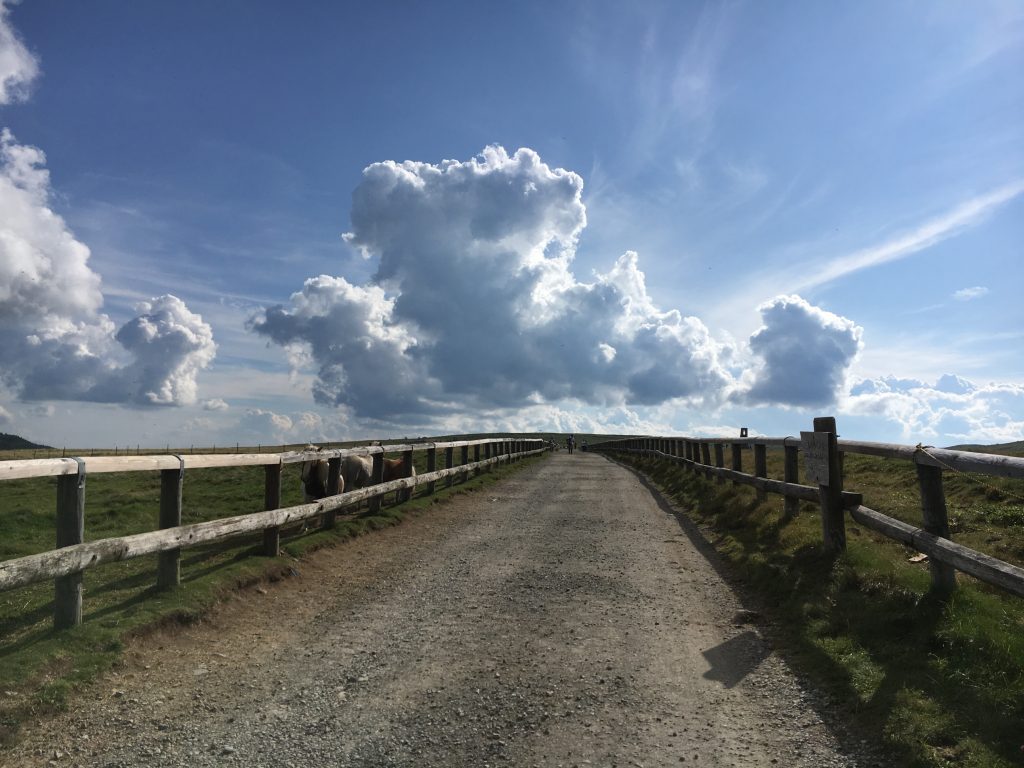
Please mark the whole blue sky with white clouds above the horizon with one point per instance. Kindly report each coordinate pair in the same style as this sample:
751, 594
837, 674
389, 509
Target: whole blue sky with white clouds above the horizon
584, 217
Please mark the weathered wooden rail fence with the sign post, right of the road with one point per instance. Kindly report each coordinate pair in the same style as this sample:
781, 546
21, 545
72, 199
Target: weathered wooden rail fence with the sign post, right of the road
823, 455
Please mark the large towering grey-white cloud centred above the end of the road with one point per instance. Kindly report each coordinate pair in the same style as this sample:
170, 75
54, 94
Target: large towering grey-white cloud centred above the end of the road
475, 304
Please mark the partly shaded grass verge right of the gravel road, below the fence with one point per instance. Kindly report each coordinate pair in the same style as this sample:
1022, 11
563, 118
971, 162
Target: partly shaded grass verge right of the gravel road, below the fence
935, 685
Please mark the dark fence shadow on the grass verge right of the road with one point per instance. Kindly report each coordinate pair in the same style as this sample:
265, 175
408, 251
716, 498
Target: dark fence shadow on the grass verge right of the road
895, 629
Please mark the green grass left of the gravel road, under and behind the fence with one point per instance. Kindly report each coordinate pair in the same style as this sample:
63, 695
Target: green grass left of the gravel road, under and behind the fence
40, 668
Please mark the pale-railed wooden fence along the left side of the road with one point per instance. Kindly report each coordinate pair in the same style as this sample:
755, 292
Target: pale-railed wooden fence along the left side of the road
66, 565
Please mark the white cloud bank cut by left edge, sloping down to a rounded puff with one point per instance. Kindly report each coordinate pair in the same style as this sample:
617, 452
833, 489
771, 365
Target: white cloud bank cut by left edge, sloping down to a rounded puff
55, 342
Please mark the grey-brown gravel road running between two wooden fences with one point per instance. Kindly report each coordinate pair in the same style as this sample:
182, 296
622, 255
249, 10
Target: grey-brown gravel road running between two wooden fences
562, 618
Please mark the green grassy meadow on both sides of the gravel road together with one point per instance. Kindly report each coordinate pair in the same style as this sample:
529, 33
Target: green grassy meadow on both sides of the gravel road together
938, 684
